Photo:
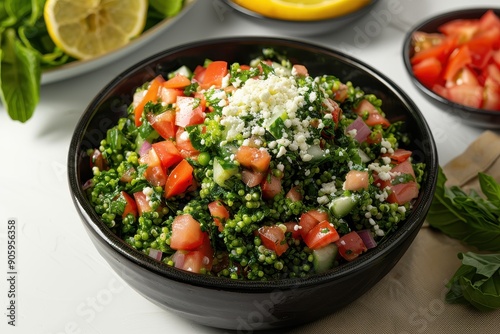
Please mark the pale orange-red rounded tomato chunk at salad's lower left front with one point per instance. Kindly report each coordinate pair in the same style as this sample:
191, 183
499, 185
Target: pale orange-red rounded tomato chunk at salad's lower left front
186, 233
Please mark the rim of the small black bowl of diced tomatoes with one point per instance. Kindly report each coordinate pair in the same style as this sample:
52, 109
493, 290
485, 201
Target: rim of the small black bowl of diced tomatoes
449, 15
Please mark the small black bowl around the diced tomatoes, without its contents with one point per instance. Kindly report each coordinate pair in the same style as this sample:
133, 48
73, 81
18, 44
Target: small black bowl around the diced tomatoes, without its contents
472, 116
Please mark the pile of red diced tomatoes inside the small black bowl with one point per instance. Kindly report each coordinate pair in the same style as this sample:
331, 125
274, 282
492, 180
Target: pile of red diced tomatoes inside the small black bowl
469, 54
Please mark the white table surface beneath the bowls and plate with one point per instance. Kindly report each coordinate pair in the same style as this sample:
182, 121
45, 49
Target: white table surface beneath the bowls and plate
64, 286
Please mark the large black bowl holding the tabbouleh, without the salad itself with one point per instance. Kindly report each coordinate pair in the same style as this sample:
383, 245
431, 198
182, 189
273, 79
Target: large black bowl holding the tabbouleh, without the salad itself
248, 305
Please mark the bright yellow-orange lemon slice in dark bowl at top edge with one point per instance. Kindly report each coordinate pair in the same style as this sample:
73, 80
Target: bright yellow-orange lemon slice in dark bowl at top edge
303, 10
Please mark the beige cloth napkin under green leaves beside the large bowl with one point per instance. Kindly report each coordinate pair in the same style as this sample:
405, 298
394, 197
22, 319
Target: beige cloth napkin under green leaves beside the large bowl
410, 299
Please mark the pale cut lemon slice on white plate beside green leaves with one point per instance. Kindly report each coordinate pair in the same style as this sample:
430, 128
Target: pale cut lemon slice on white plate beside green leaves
86, 29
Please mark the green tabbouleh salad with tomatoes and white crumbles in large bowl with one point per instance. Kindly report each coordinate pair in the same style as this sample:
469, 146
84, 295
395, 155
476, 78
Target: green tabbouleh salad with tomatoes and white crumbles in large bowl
253, 171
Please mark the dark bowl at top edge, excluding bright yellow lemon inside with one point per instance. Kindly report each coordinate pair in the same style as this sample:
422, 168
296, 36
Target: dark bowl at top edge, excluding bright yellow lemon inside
302, 28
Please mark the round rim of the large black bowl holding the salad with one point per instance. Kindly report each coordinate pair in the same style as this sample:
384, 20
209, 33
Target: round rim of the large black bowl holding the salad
92, 222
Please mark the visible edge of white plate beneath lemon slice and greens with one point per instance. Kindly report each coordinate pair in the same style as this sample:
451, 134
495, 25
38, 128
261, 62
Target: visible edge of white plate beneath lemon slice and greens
81, 66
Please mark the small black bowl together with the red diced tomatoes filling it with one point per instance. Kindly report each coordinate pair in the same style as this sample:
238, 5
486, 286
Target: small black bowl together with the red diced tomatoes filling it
454, 59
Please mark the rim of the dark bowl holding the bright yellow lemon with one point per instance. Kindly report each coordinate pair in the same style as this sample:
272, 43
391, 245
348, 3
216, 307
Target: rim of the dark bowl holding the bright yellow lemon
250, 13
